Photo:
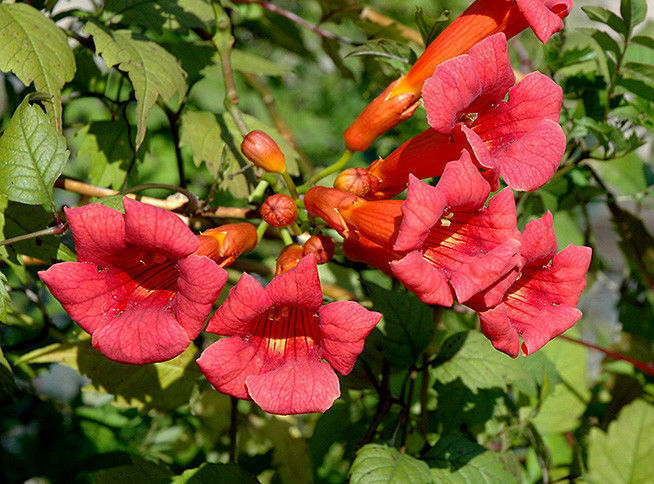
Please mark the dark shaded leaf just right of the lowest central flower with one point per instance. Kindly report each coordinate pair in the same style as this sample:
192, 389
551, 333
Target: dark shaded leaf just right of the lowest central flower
408, 324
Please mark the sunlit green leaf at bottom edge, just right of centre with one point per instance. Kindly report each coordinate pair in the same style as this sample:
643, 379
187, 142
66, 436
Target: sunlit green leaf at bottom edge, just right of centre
380, 463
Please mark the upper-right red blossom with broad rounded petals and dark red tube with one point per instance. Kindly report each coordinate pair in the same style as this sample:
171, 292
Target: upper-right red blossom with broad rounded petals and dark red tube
518, 139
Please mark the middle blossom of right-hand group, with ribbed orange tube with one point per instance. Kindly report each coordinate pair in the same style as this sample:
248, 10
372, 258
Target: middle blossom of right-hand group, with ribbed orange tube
440, 243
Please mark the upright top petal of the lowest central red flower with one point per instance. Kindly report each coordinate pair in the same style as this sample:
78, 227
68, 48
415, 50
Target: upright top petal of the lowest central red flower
299, 287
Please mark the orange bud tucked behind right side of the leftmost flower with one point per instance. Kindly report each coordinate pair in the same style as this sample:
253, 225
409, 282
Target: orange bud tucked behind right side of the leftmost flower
226, 243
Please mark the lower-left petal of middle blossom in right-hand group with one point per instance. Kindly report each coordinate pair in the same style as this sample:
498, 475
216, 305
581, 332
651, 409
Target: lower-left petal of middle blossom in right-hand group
423, 279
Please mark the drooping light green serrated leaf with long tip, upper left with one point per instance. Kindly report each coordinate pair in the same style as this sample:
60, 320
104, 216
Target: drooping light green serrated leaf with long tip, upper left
153, 71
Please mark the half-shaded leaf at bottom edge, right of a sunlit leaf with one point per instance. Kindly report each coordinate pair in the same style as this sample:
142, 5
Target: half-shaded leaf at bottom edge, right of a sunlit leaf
457, 460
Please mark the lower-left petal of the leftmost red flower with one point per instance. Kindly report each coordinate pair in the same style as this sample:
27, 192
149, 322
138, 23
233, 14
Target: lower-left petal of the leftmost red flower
83, 291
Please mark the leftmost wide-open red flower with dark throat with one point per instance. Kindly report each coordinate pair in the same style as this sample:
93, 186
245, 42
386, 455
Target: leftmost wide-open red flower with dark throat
137, 287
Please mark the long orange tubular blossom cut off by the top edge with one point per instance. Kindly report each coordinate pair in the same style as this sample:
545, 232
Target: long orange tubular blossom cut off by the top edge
481, 20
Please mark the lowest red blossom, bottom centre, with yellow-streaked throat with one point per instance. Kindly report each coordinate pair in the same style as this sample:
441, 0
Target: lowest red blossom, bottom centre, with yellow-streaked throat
278, 339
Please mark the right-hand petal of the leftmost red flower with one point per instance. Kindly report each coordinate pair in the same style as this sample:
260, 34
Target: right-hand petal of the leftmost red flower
198, 286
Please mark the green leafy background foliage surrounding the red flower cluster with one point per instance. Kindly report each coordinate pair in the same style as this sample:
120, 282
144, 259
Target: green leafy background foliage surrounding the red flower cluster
121, 93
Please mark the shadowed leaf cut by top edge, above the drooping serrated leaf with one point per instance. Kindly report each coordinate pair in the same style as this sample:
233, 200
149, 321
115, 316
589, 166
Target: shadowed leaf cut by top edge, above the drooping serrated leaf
162, 14
